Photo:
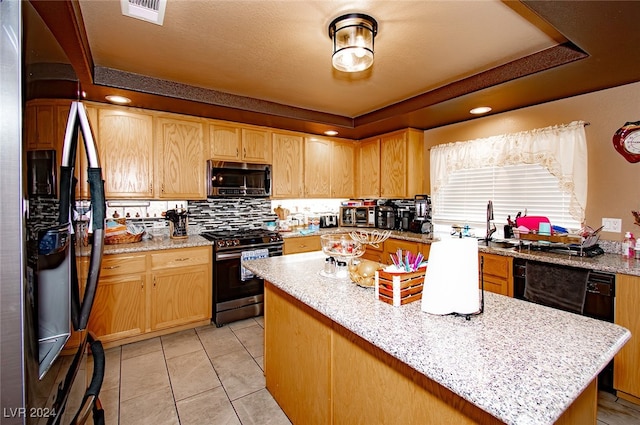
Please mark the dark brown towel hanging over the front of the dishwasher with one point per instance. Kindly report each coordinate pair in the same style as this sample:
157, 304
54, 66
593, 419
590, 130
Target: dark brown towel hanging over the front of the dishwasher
556, 286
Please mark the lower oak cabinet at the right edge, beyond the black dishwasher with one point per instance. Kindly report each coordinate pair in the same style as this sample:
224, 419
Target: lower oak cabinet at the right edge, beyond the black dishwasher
626, 365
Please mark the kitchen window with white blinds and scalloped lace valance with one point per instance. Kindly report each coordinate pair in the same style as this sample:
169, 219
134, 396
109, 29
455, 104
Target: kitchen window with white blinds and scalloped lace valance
542, 172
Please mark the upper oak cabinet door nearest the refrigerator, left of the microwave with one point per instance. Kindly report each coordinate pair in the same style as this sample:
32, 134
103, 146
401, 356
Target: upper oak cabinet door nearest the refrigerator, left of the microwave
125, 138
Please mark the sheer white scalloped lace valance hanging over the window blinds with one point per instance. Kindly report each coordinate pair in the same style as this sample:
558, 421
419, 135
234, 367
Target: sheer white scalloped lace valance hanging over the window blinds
562, 149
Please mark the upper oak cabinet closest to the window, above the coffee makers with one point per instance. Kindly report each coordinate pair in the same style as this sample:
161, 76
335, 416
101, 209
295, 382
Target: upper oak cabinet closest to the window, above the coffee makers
401, 164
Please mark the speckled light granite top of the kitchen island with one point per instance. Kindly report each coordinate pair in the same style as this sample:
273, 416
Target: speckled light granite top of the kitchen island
521, 362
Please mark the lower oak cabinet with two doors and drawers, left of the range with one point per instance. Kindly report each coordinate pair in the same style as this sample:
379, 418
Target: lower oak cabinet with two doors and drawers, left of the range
141, 294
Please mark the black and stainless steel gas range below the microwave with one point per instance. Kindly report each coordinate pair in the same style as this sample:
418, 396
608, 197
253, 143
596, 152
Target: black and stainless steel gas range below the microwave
237, 293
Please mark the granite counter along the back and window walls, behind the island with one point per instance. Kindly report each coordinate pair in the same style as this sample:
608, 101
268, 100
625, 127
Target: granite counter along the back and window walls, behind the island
613, 263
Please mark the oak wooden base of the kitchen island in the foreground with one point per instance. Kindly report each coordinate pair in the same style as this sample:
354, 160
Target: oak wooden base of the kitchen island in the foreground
321, 373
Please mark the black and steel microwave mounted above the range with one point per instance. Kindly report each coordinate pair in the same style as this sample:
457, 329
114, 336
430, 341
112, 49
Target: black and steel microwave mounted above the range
238, 179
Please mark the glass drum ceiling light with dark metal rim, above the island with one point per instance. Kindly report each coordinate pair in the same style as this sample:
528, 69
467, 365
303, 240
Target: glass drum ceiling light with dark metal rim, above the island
352, 36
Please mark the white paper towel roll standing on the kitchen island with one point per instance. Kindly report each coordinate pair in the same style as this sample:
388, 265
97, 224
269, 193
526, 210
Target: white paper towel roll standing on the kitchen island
451, 280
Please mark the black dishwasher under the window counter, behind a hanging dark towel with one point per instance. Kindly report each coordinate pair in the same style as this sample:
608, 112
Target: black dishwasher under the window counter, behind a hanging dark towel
599, 303
